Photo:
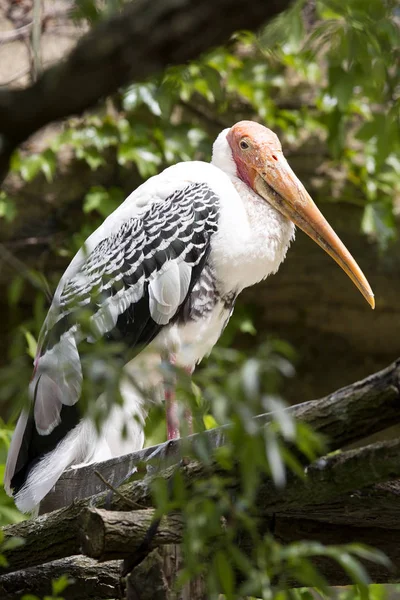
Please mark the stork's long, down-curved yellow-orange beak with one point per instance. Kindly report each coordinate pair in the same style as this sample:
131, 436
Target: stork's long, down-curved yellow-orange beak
277, 183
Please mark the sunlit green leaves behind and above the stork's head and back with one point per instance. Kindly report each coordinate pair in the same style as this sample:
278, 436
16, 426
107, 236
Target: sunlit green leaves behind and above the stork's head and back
323, 72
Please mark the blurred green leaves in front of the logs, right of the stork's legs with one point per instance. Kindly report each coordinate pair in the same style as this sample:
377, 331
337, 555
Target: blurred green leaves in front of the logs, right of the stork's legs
227, 539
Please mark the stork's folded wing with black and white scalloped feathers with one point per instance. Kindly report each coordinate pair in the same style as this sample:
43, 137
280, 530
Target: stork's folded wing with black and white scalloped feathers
129, 286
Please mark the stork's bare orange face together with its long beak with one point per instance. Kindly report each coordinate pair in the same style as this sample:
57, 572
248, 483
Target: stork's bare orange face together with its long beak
261, 164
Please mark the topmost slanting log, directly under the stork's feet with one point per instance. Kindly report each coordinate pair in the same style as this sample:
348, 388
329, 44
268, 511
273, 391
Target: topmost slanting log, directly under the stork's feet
343, 417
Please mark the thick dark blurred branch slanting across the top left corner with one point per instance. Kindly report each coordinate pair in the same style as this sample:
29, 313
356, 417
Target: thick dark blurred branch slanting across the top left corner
142, 40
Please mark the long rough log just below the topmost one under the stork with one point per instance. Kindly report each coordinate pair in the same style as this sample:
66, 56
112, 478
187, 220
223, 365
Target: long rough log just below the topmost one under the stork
58, 534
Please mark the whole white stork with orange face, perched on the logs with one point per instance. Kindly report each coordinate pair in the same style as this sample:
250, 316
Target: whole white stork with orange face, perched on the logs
162, 272
